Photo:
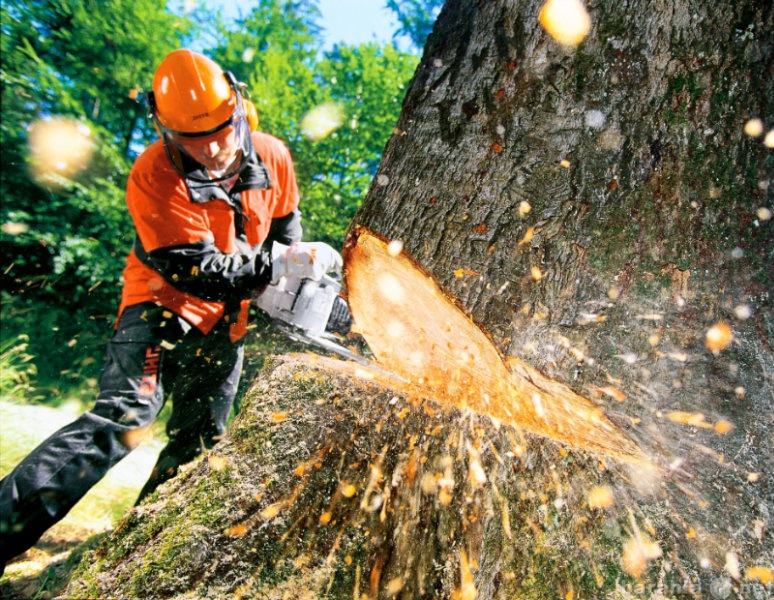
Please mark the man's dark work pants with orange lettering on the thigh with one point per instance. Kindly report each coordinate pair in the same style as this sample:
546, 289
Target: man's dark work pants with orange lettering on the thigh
154, 355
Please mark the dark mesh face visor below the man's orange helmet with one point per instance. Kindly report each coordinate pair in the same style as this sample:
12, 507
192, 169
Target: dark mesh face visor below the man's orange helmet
185, 150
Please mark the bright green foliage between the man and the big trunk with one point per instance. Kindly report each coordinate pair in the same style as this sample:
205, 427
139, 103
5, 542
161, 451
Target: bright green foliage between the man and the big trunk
275, 50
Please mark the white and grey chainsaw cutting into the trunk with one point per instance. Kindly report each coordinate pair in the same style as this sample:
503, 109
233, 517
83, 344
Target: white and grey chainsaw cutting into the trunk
310, 312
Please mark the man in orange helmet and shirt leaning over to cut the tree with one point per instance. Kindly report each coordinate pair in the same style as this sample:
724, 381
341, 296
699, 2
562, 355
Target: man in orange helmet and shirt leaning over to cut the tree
215, 208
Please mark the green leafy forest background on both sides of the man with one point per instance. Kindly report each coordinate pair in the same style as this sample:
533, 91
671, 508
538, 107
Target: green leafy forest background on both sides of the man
66, 233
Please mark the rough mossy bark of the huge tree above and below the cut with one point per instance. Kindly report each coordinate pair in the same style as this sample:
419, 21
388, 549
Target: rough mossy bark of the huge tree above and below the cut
598, 210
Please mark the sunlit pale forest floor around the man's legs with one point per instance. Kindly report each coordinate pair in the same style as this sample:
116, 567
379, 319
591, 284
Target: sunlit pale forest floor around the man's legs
44, 570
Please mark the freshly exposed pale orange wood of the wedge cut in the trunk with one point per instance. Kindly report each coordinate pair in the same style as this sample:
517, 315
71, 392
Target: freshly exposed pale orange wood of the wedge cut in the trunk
419, 334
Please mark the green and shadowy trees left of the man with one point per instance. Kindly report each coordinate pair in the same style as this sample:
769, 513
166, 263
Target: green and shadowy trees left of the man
66, 232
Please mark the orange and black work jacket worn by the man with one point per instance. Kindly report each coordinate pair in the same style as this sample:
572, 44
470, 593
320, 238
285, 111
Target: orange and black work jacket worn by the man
201, 251
